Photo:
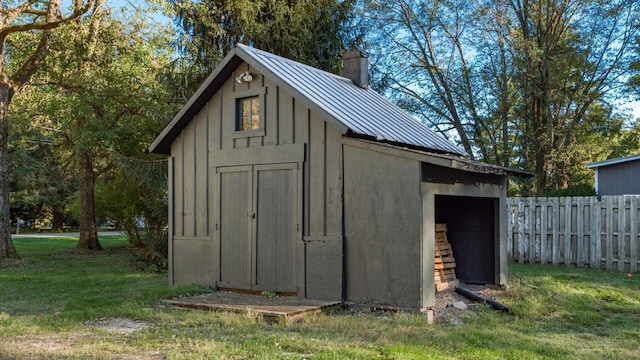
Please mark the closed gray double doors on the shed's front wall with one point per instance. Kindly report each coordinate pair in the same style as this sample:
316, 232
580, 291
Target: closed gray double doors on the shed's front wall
258, 206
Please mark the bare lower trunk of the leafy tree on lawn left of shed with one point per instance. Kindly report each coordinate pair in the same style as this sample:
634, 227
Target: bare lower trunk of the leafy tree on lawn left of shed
88, 228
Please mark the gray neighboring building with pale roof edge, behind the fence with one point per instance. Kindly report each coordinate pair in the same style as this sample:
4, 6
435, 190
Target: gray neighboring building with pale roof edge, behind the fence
620, 176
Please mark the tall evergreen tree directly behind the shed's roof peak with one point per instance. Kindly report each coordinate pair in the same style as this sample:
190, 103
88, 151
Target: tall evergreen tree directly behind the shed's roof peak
313, 32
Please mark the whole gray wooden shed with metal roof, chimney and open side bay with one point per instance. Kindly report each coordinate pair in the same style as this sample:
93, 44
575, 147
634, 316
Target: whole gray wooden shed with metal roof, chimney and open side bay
290, 179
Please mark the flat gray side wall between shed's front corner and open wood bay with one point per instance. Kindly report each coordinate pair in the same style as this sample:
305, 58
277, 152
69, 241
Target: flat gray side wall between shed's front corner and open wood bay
383, 227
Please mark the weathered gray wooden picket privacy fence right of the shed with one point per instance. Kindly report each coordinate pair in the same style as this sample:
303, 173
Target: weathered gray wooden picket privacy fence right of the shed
580, 231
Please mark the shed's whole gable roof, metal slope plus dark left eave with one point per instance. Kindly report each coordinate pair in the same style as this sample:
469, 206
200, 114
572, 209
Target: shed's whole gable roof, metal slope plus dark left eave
354, 111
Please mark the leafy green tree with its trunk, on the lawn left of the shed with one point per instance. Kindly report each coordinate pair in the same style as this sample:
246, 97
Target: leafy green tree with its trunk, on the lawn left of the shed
103, 98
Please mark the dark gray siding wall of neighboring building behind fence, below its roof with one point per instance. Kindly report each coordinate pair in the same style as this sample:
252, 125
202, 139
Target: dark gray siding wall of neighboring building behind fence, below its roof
619, 179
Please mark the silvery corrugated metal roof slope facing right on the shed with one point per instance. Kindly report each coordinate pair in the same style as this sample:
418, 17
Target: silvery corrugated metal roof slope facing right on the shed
362, 111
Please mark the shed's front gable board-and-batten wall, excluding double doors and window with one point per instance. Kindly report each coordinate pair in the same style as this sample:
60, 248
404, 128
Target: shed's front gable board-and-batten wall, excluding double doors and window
291, 133
